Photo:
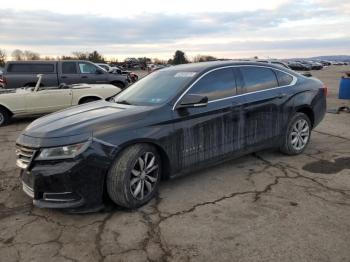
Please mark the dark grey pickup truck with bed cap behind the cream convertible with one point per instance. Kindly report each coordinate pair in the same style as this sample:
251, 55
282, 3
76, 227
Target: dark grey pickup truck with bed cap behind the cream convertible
24, 74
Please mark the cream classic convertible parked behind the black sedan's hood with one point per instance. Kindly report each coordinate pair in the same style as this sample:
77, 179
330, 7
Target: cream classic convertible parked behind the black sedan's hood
36, 101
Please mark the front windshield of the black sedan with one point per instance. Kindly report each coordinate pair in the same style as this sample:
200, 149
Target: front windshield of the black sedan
156, 88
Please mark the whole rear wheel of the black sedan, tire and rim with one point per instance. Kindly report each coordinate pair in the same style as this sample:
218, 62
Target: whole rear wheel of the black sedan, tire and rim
297, 135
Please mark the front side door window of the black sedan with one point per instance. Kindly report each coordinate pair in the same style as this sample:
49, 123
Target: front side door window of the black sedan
217, 84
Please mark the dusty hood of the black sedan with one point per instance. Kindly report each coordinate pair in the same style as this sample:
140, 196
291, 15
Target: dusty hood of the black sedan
84, 119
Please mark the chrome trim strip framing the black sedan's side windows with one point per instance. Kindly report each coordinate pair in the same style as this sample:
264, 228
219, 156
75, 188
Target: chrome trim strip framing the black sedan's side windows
294, 81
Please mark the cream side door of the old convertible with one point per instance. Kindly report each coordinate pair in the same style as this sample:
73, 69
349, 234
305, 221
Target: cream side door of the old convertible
48, 100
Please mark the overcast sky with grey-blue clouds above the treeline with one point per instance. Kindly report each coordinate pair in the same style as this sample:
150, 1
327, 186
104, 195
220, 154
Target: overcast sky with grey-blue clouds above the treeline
156, 28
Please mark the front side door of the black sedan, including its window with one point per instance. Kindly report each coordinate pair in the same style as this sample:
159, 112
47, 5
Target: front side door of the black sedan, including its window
208, 133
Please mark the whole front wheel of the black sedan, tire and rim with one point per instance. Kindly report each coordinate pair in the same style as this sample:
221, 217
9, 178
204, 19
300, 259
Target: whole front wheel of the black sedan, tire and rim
126, 185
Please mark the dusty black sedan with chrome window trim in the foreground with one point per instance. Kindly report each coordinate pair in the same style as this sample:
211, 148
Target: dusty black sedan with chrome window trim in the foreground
171, 122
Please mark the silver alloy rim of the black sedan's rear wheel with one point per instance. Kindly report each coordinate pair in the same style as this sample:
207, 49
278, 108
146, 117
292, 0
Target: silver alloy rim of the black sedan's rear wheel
300, 134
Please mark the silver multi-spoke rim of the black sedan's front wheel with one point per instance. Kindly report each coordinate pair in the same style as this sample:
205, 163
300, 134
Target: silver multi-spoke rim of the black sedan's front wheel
144, 175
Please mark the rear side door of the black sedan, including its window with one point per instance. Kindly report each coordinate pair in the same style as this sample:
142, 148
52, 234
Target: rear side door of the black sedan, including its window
263, 102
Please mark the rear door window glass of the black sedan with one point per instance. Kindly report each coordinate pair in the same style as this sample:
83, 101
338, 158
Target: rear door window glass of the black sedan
258, 78
